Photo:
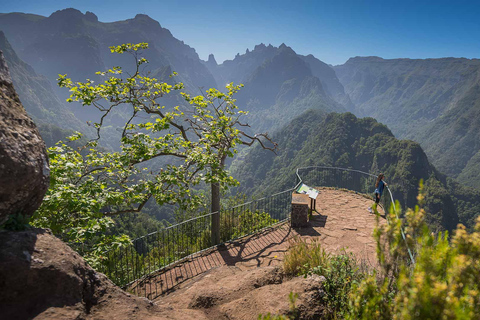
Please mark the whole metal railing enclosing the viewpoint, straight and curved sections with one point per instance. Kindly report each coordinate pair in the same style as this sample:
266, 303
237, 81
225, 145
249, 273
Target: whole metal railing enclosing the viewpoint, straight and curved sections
160, 250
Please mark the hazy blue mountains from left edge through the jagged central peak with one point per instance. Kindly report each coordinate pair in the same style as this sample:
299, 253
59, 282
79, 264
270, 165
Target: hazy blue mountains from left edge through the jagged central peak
279, 84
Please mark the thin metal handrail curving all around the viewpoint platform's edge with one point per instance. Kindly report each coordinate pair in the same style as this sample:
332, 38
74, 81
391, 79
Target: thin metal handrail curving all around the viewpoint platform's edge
136, 265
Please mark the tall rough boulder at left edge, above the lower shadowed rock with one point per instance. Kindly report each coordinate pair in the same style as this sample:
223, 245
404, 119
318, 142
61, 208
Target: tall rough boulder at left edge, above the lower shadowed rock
24, 167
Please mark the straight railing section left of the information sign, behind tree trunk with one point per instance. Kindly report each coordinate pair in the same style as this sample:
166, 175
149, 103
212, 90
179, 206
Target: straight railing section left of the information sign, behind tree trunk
162, 249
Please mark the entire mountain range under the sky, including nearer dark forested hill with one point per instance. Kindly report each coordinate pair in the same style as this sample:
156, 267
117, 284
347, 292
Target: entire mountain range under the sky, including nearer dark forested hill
435, 102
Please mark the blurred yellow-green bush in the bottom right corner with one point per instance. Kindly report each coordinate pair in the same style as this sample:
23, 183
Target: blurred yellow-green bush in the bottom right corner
442, 284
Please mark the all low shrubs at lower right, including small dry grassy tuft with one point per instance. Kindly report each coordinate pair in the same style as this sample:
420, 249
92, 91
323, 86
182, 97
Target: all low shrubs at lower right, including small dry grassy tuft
438, 282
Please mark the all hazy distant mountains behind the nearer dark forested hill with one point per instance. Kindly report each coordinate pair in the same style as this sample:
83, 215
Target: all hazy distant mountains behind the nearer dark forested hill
433, 101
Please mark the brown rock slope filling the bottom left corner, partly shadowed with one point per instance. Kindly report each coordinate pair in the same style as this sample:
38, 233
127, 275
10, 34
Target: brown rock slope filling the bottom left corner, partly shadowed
43, 278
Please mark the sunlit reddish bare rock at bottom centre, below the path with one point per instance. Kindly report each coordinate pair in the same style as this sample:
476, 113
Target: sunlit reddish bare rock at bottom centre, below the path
231, 293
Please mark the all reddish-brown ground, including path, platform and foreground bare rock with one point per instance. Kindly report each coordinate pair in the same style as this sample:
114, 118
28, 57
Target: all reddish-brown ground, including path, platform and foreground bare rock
42, 278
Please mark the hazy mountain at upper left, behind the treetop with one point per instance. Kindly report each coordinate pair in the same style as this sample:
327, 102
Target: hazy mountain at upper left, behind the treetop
74, 43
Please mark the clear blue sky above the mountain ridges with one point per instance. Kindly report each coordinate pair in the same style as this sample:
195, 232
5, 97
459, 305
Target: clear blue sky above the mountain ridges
333, 31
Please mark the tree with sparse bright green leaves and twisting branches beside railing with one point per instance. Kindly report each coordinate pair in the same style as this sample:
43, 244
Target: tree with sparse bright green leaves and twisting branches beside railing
90, 185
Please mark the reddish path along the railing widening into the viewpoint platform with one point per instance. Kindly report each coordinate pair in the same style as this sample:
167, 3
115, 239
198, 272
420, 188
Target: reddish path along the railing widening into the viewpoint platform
342, 221
